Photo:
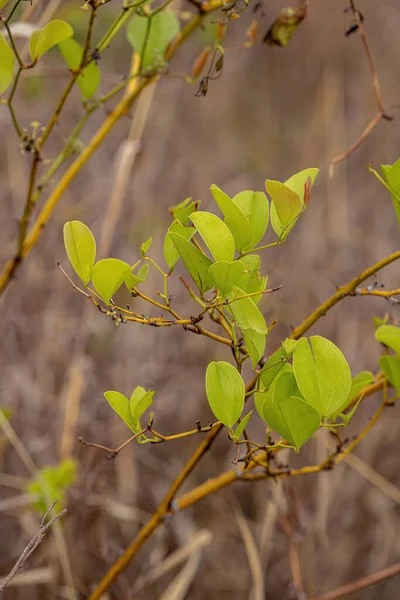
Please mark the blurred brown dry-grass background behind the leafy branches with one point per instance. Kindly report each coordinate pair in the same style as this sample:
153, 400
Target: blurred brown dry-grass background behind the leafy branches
273, 112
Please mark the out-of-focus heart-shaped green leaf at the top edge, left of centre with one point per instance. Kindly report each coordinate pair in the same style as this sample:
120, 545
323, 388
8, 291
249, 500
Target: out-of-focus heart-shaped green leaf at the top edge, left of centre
151, 37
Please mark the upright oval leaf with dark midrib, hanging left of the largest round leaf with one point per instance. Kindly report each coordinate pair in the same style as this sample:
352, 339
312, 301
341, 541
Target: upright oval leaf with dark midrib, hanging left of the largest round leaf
225, 392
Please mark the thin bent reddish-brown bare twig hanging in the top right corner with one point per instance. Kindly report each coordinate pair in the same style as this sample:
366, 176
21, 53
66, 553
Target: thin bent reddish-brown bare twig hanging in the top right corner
359, 26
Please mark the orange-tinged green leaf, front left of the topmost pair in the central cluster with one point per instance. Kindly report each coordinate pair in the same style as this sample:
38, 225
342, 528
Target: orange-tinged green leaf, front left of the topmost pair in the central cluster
285, 209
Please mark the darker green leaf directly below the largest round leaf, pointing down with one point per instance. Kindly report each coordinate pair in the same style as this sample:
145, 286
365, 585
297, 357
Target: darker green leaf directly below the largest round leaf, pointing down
293, 418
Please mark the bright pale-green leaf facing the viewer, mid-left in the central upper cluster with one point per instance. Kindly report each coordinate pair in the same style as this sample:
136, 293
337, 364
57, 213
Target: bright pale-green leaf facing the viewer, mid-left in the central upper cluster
215, 234
